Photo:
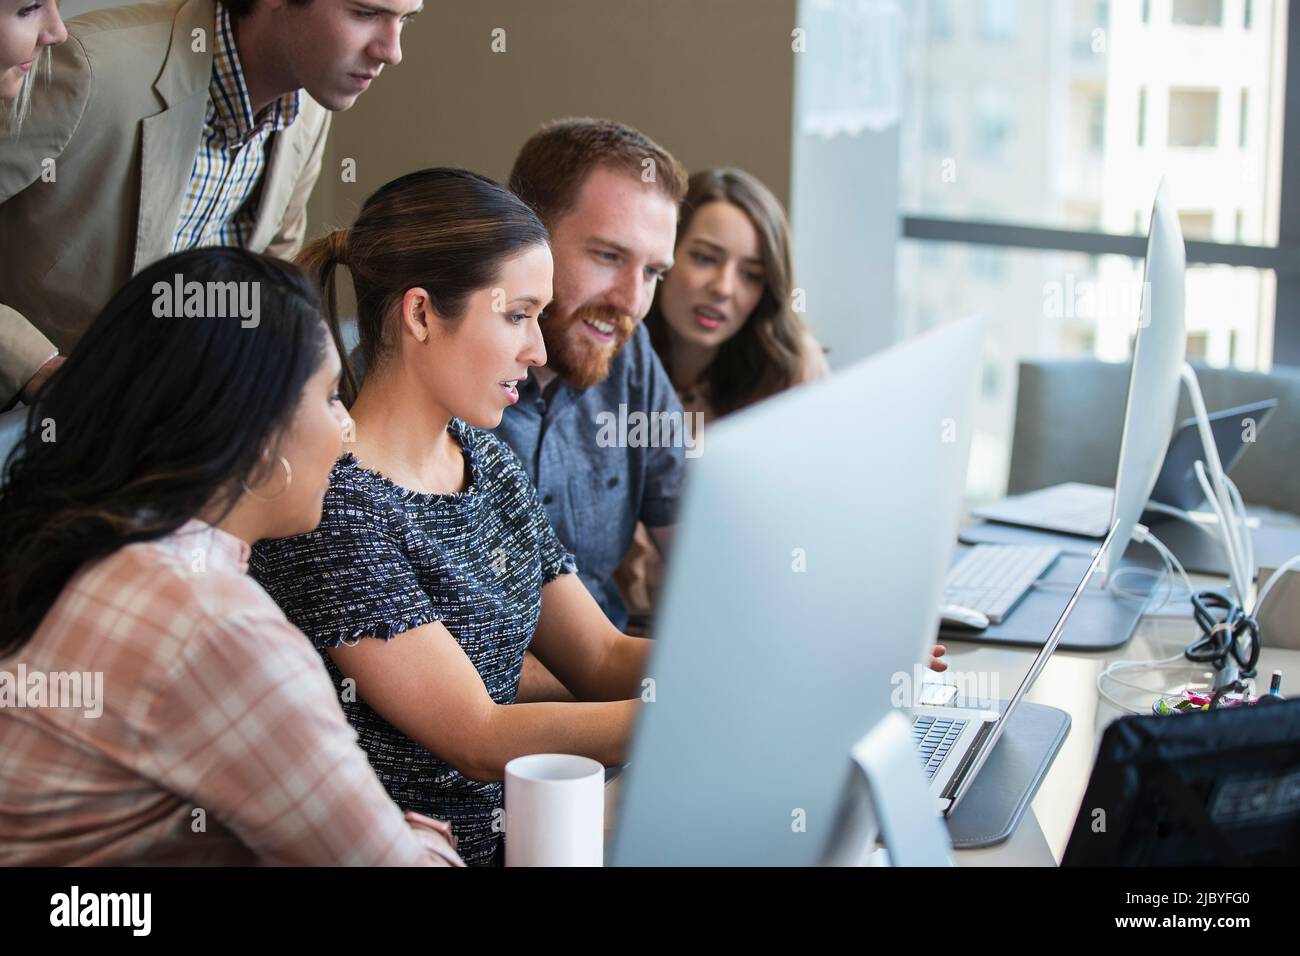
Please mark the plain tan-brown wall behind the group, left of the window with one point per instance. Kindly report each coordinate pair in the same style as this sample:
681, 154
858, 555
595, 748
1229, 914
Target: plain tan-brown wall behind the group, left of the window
709, 80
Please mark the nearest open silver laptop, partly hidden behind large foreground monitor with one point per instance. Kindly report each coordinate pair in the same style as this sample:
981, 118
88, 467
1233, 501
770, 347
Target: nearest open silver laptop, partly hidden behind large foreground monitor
955, 742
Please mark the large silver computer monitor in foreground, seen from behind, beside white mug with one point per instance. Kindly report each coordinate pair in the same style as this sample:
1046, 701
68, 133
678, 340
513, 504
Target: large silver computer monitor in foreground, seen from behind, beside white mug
807, 576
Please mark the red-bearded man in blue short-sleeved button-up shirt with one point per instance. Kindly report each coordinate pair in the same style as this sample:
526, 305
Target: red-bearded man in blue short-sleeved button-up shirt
609, 197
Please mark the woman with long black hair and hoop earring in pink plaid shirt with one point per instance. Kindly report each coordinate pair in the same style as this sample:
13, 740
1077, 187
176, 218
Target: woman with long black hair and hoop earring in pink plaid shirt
155, 706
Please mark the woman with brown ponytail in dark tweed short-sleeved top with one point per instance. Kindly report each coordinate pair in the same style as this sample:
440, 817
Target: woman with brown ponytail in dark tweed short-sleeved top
435, 568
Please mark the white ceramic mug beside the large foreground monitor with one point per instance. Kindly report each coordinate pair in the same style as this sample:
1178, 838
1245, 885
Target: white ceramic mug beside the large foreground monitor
554, 811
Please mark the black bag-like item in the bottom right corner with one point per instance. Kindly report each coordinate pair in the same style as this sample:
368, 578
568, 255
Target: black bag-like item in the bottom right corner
1219, 788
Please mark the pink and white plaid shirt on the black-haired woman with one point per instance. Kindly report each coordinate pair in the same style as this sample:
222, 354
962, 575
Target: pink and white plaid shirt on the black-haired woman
211, 702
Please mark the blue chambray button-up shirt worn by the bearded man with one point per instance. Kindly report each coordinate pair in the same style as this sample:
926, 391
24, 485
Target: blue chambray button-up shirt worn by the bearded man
595, 495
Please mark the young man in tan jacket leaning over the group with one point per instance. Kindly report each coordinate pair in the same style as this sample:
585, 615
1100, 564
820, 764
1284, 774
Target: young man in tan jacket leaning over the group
168, 127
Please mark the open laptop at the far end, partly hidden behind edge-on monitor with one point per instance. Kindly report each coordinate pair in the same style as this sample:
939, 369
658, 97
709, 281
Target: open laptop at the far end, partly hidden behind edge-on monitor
1085, 511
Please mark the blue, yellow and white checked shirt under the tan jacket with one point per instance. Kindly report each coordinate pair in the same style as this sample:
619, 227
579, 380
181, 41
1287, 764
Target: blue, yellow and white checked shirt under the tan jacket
220, 205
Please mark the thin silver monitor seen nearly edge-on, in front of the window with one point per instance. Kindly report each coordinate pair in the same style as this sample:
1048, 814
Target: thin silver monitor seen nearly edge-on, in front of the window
1154, 383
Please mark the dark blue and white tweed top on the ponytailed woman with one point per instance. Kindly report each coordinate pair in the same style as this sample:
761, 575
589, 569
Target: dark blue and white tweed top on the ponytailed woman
387, 560
